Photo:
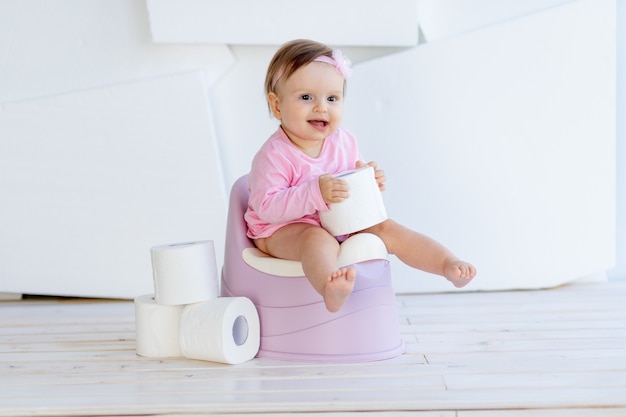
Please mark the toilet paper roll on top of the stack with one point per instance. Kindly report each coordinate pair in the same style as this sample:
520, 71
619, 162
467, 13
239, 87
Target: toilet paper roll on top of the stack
184, 273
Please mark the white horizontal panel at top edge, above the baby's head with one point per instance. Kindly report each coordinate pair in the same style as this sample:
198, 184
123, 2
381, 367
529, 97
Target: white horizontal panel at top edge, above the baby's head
245, 22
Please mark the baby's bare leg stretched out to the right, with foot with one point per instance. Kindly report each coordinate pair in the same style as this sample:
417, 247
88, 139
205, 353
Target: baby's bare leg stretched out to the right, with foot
422, 252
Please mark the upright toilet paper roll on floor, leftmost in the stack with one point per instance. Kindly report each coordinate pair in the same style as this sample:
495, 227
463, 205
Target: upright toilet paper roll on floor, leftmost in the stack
157, 328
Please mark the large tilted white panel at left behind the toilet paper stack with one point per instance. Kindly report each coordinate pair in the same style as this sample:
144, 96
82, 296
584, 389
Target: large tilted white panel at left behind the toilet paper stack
99, 178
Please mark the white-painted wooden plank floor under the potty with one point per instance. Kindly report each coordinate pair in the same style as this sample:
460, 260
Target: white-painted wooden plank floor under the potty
559, 352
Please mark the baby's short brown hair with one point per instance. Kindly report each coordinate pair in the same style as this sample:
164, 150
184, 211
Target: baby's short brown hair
290, 57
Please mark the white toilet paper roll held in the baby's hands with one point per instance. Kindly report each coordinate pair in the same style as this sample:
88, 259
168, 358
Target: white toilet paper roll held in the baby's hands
364, 207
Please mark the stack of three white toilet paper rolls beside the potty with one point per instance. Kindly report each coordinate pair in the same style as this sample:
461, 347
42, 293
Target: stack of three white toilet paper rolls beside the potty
186, 317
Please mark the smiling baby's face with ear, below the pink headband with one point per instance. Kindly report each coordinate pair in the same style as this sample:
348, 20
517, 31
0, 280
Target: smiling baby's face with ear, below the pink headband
309, 104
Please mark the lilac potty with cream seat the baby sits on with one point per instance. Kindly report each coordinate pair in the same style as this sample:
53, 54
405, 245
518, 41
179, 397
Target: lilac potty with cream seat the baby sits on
295, 324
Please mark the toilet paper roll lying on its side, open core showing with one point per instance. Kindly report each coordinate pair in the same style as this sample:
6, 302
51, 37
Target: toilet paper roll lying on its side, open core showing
223, 330
